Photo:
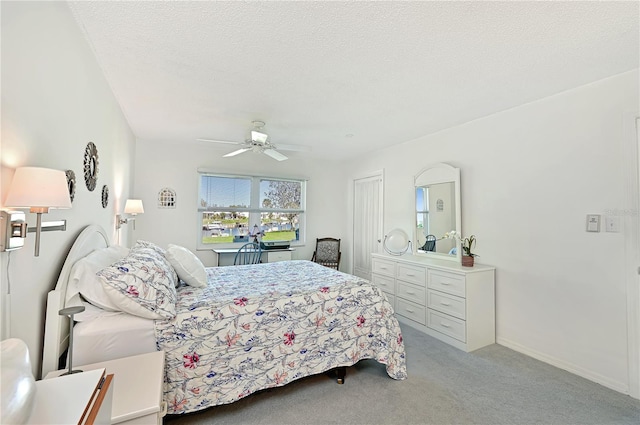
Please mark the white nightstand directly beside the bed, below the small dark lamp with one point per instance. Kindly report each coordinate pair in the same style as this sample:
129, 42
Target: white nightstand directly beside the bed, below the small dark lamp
137, 387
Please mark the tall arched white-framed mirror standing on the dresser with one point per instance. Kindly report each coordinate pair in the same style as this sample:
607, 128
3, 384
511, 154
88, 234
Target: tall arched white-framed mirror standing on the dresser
438, 211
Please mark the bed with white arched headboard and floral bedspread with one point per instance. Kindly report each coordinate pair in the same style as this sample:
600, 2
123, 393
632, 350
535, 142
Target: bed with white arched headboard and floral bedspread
246, 329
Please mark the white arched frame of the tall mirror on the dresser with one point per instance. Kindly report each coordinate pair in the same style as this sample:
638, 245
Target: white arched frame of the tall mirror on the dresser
435, 174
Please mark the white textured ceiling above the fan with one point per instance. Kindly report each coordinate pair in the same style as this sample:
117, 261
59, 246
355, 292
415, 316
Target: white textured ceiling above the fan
345, 77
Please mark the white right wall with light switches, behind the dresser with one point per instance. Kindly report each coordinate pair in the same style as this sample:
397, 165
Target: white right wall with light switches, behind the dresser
529, 177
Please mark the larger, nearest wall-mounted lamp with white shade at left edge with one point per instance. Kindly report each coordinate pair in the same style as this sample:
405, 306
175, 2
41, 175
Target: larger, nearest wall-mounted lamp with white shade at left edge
39, 189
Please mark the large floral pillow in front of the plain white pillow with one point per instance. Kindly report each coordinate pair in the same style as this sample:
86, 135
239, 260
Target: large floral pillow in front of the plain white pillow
142, 284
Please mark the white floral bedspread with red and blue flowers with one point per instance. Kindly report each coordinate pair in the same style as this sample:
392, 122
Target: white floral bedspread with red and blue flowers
261, 326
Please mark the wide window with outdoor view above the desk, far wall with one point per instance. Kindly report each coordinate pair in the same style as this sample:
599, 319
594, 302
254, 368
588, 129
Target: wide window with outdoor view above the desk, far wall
232, 209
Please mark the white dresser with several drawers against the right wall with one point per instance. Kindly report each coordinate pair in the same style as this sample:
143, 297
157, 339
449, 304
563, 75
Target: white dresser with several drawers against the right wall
441, 298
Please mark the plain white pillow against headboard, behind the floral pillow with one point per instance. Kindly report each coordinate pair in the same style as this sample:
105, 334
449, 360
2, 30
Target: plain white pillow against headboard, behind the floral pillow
83, 278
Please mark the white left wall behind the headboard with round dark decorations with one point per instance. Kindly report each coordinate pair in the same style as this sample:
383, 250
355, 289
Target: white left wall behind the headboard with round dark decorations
54, 101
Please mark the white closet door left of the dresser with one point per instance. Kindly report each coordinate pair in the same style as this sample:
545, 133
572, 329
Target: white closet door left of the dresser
367, 222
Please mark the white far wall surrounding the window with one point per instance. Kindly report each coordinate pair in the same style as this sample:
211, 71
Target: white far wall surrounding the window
175, 165
